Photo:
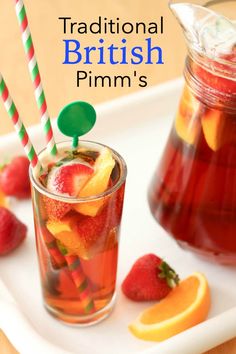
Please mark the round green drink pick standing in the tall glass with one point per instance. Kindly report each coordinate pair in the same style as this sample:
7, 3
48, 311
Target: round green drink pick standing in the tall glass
76, 119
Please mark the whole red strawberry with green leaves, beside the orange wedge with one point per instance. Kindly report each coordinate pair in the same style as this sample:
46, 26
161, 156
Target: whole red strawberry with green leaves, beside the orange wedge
149, 279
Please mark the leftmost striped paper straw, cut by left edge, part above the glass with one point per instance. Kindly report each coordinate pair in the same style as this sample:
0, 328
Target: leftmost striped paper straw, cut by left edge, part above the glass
18, 125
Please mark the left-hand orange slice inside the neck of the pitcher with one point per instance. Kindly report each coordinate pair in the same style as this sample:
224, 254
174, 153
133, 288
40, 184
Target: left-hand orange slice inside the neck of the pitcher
187, 124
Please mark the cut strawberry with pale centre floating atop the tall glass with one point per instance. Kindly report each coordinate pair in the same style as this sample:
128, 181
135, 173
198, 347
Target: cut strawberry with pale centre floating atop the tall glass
69, 179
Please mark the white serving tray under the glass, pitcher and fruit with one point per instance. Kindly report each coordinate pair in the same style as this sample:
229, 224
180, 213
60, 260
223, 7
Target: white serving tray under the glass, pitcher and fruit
137, 126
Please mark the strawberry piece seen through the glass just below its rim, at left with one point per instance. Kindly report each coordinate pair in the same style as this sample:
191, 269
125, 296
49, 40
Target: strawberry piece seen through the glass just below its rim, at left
55, 209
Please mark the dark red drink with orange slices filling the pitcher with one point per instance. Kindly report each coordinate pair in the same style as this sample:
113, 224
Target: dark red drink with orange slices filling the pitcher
193, 194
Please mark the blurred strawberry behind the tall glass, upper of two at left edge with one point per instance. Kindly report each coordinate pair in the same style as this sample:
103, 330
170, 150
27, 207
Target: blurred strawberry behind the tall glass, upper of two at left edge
14, 178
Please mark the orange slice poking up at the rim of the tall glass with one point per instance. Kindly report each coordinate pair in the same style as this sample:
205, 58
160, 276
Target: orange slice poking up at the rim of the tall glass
97, 184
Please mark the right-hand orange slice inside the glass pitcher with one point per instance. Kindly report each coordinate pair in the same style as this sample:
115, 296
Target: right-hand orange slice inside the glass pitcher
218, 129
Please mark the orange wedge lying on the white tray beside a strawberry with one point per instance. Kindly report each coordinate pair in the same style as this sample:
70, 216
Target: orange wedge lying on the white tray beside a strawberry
185, 306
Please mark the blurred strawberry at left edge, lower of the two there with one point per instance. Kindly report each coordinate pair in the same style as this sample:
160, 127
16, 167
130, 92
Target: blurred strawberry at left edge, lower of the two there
12, 231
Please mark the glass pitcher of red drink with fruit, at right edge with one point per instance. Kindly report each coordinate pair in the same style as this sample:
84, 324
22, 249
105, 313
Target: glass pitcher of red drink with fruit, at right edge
193, 192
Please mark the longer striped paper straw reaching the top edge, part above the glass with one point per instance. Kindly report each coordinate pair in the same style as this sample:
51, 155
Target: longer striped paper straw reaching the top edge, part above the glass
35, 75
